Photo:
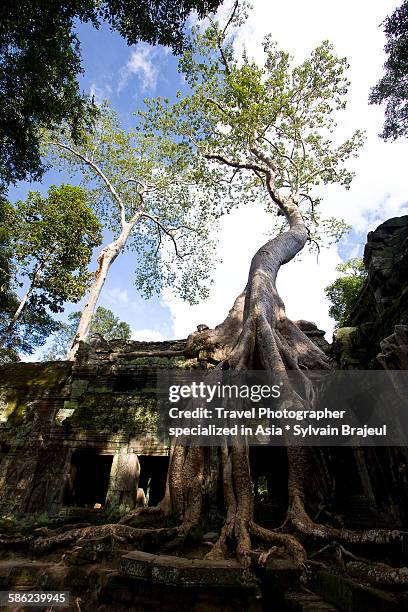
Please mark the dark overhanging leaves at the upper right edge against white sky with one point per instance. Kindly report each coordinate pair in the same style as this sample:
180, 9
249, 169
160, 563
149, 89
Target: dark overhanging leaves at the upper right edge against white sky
392, 88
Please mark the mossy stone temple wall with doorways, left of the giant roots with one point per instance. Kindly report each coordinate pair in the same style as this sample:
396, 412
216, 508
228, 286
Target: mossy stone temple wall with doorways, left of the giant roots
82, 435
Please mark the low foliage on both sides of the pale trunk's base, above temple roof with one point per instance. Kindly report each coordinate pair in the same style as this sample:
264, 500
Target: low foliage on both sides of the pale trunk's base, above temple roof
104, 324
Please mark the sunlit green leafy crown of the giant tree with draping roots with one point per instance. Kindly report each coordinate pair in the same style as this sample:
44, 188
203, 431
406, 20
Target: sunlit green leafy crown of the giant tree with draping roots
243, 123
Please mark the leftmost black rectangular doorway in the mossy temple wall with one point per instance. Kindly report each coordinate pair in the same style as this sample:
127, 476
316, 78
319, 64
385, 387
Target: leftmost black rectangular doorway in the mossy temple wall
88, 480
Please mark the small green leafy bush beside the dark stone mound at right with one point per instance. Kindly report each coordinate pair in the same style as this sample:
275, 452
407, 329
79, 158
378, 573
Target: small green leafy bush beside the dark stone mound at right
344, 291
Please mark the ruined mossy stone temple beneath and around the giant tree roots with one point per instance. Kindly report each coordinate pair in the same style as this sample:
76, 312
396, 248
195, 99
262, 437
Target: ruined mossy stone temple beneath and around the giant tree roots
78, 445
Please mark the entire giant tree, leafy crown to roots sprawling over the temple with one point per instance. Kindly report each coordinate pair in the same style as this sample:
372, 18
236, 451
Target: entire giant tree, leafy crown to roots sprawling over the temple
268, 131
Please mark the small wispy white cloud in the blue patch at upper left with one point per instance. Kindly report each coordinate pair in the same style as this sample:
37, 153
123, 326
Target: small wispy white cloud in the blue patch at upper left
140, 64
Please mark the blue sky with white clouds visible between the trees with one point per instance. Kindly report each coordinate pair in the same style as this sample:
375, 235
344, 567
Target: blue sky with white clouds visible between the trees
126, 75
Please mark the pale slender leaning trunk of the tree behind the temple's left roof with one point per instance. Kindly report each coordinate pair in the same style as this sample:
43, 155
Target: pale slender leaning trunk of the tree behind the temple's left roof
105, 260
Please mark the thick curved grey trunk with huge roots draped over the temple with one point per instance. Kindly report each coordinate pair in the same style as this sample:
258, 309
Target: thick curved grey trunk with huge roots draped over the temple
257, 335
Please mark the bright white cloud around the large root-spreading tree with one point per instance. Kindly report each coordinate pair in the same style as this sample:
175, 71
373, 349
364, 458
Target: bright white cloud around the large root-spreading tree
378, 191
